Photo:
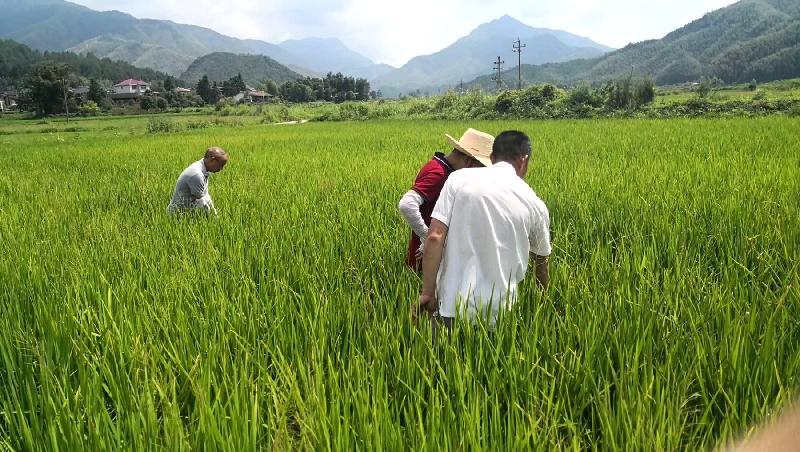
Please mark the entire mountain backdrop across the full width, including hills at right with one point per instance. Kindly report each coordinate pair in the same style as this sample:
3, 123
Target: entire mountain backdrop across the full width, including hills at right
751, 39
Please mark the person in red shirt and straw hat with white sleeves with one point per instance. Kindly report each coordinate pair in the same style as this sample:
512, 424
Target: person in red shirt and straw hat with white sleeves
416, 206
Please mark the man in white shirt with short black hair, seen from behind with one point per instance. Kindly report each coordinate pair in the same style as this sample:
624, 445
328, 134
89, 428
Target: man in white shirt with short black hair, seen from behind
486, 226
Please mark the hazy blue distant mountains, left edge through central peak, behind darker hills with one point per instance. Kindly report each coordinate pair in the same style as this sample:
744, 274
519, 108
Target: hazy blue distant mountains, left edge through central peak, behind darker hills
171, 47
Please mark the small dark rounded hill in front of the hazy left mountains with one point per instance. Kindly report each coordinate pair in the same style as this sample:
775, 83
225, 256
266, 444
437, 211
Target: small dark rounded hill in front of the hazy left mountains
220, 66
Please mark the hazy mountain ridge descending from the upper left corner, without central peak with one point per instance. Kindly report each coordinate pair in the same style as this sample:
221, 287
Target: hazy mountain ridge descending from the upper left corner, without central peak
160, 44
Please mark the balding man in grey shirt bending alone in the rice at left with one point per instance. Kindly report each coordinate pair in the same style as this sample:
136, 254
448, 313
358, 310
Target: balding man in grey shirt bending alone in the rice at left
191, 190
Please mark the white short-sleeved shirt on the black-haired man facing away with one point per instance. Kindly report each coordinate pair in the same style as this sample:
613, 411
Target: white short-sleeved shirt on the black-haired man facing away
494, 221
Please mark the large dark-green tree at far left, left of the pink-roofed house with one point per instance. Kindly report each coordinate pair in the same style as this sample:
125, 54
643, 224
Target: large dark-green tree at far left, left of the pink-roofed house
47, 88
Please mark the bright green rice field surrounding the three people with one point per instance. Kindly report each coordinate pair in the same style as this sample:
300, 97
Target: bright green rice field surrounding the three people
671, 321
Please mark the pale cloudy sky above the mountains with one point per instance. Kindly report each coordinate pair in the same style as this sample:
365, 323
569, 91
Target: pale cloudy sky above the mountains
393, 32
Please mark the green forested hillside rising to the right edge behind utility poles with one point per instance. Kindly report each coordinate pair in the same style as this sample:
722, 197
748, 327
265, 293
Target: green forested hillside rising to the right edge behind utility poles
751, 39
